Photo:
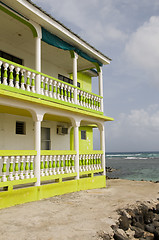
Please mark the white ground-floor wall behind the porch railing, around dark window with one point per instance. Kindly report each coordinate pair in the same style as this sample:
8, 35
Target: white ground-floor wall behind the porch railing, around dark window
9, 140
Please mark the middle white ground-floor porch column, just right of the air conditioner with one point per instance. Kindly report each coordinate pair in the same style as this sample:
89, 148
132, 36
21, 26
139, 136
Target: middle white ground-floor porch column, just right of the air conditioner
76, 146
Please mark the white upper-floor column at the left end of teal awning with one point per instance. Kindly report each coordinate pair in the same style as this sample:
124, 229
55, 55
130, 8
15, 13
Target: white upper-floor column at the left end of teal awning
38, 62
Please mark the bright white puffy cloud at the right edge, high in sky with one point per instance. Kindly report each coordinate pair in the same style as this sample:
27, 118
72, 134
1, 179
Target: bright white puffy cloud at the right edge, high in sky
142, 48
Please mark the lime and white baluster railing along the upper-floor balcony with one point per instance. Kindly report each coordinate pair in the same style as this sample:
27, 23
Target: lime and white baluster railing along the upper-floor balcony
29, 80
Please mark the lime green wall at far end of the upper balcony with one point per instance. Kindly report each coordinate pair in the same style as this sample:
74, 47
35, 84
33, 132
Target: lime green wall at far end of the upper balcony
84, 80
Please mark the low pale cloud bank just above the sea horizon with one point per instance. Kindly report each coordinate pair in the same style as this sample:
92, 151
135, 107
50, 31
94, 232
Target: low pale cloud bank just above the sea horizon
137, 130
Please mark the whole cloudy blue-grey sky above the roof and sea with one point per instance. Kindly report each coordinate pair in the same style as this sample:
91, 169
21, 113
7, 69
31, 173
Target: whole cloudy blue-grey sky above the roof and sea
127, 31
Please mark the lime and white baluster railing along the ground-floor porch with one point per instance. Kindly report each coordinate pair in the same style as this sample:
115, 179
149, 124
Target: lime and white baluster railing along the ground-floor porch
17, 166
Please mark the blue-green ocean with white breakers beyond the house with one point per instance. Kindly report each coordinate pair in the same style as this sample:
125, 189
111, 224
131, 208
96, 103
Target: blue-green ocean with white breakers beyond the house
134, 166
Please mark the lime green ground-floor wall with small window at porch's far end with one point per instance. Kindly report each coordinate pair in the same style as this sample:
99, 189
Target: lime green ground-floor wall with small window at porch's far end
83, 144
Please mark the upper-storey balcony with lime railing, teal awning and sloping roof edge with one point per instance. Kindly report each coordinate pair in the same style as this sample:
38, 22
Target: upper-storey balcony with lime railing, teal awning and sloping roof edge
36, 50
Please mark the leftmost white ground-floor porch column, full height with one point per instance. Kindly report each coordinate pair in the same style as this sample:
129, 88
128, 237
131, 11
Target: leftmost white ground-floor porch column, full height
38, 120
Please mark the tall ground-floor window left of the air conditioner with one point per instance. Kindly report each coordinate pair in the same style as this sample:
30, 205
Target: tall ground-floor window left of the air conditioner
45, 138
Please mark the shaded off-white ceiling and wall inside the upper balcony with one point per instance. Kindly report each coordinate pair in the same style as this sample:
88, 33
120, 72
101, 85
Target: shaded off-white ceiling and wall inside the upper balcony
16, 38
